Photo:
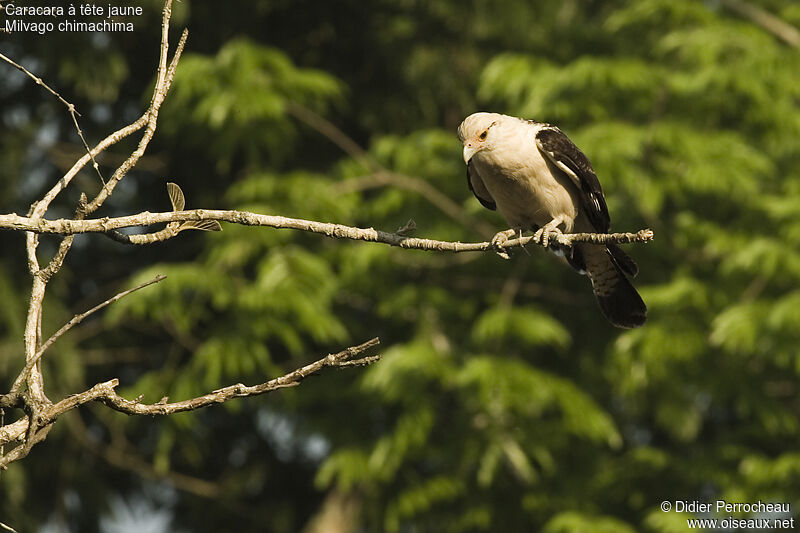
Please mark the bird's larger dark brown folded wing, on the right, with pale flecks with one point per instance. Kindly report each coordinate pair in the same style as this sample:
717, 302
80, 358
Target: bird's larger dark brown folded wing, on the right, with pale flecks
562, 152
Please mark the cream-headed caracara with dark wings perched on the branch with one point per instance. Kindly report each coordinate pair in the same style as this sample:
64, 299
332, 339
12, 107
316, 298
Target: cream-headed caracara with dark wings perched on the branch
540, 181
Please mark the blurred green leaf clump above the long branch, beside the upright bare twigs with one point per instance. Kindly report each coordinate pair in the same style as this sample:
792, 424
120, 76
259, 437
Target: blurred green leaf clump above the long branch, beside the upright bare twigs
241, 96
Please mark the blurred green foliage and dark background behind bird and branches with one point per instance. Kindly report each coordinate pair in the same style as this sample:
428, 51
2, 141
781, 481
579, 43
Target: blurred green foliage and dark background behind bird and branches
504, 401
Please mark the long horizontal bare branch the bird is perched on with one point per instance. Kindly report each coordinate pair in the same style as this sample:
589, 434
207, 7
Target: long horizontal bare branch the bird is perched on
104, 225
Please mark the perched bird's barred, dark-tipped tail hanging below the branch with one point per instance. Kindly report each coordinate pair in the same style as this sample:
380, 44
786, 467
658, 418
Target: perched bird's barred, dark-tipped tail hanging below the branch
620, 303
